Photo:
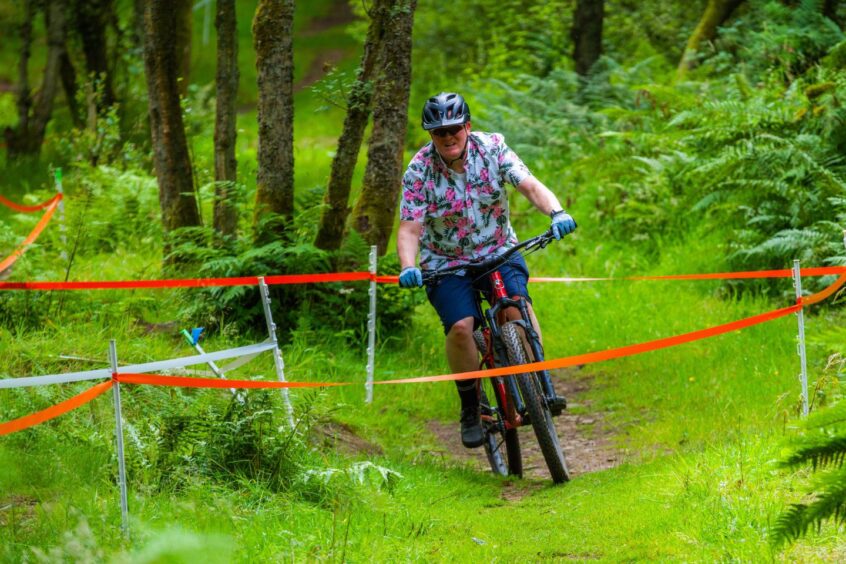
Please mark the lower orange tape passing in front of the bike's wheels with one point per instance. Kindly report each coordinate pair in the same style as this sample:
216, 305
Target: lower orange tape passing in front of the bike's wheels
588, 358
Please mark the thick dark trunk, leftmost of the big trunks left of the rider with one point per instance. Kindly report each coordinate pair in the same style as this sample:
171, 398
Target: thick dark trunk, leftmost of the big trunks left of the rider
170, 148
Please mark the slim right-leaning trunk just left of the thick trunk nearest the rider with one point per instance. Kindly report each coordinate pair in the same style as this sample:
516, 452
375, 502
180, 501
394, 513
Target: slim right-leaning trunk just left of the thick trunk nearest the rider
334, 217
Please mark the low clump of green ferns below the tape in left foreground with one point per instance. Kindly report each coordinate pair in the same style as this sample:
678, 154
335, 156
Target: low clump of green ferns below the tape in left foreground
242, 437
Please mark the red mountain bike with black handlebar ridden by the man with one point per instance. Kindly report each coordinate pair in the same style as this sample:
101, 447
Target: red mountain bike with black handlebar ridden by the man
521, 399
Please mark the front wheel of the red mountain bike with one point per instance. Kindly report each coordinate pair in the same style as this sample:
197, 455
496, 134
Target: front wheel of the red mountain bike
519, 352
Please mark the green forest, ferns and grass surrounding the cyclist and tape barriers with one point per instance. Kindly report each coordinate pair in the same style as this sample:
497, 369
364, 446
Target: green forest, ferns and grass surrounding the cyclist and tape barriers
684, 137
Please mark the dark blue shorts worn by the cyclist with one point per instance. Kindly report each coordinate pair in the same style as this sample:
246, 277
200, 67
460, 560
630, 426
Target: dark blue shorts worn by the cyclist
454, 297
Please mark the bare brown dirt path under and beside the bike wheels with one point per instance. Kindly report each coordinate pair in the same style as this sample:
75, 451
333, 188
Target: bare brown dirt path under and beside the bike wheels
584, 437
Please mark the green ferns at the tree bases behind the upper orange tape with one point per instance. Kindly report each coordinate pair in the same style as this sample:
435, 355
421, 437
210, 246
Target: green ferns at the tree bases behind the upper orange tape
337, 308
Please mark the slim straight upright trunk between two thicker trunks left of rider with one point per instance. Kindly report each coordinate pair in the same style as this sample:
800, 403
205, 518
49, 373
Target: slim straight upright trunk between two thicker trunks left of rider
225, 163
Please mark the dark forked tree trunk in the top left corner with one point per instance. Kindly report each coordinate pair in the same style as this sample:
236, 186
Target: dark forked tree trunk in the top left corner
34, 112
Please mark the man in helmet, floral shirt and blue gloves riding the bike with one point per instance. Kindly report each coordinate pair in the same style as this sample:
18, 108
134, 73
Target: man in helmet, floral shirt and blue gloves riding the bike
454, 210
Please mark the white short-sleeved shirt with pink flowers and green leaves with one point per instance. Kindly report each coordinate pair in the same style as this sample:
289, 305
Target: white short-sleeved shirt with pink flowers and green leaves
467, 220
